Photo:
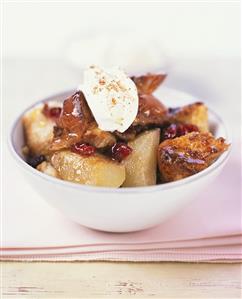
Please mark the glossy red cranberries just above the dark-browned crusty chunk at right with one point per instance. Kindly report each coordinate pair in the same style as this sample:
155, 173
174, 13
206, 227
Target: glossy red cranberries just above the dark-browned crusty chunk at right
177, 130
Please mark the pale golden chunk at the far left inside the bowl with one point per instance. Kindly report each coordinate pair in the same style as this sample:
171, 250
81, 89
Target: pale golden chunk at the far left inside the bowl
38, 131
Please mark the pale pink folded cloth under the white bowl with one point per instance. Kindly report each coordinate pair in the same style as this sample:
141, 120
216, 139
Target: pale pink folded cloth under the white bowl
208, 230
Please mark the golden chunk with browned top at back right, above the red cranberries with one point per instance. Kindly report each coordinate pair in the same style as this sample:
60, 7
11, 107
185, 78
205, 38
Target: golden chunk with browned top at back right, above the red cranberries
195, 114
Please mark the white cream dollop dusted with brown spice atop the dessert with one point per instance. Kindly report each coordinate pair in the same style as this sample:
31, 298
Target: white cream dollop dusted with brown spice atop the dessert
112, 97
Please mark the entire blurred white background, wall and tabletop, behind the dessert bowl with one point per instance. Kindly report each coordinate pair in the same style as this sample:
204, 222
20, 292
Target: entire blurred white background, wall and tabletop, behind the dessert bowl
201, 41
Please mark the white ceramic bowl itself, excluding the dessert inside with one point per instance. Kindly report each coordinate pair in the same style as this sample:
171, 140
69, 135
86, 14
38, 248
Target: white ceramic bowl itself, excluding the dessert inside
124, 209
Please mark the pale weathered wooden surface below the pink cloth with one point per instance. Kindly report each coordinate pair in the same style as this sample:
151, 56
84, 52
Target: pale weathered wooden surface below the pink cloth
120, 280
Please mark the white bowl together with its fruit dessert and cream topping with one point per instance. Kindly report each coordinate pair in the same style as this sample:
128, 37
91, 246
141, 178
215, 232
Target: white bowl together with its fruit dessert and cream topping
113, 157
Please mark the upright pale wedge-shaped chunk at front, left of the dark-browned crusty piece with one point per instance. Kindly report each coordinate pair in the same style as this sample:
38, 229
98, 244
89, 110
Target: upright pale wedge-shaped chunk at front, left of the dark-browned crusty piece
141, 164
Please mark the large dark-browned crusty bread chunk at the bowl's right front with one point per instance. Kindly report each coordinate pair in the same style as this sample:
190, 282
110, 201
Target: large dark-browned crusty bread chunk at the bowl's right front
186, 155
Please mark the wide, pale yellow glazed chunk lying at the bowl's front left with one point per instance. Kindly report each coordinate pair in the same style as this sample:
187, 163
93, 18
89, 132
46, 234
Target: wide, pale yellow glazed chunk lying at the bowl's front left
95, 170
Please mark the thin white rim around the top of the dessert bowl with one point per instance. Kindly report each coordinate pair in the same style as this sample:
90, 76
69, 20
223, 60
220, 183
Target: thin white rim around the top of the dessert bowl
124, 190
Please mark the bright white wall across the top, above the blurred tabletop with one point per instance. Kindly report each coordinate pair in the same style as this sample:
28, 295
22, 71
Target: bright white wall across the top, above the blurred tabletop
190, 29
